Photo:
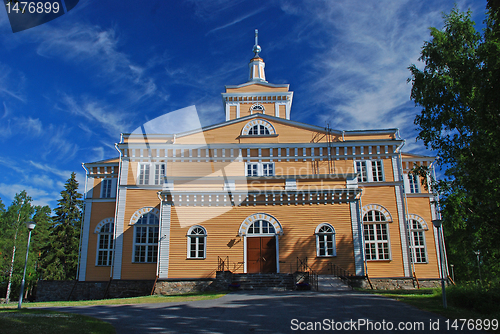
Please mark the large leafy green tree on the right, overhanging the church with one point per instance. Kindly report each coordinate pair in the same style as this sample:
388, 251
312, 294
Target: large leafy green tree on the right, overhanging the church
458, 90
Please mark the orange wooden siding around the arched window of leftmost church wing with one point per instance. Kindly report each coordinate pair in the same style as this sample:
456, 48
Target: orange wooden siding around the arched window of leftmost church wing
100, 211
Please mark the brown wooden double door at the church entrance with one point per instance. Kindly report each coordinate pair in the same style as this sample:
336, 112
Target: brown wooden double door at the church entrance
261, 254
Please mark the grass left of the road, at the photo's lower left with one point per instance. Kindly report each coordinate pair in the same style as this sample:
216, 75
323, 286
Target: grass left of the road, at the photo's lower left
28, 320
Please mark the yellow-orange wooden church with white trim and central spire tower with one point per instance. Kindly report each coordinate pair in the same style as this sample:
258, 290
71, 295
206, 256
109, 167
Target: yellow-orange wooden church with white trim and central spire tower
261, 192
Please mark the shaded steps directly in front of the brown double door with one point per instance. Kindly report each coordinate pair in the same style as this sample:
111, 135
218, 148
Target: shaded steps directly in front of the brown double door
273, 282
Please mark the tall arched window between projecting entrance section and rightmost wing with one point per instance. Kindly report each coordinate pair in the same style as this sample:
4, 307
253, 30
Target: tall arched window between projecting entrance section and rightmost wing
376, 236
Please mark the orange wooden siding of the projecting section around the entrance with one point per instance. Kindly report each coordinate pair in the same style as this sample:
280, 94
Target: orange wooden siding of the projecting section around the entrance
298, 222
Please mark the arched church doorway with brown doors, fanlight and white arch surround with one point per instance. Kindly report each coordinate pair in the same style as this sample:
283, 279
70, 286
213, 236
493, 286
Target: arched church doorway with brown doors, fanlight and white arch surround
260, 232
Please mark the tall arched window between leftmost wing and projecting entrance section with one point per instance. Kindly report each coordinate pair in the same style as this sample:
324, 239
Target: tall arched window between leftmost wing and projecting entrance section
146, 238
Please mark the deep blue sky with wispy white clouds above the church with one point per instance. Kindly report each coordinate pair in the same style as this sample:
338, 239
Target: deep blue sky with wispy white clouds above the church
69, 87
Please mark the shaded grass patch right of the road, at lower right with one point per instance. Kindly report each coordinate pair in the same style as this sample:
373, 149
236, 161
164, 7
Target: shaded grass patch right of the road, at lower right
431, 300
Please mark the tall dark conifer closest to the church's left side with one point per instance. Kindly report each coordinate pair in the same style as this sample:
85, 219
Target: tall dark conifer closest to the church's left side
59, 258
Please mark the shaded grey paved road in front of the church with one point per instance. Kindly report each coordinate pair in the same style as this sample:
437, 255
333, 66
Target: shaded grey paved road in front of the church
270, 312
